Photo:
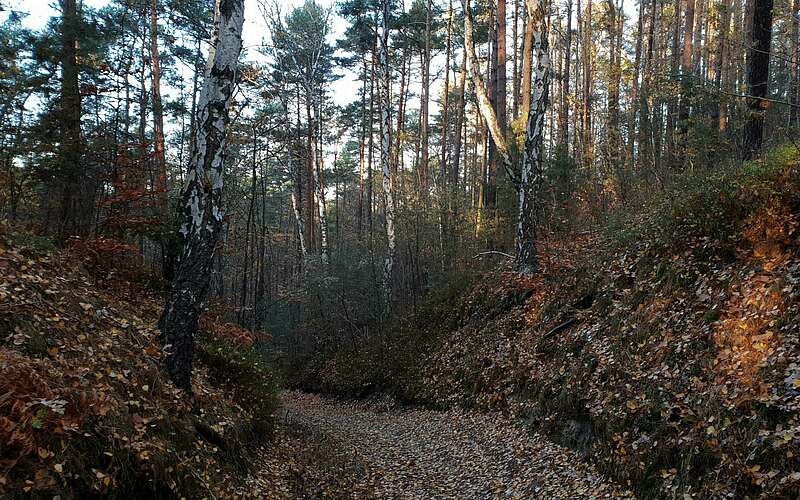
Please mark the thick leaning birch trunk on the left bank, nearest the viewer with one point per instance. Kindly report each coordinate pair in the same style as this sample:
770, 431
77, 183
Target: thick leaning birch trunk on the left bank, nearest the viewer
202, 194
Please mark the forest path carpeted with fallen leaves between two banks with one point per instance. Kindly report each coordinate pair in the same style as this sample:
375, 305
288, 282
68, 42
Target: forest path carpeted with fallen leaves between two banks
416, 453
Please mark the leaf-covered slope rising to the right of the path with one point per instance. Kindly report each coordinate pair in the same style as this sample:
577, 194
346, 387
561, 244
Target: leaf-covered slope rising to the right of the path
664, 348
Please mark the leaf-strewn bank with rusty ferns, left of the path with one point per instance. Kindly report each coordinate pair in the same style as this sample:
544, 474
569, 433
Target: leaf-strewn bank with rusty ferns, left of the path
85, 406
